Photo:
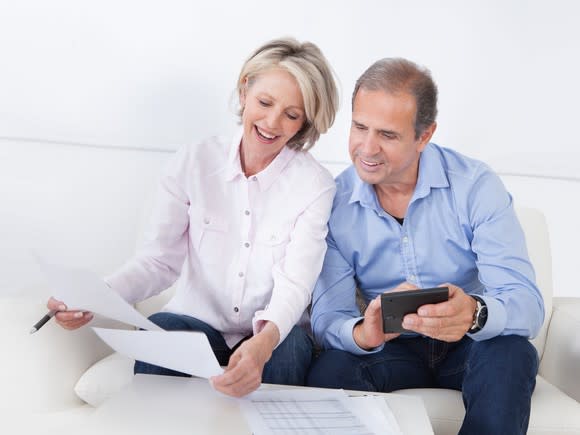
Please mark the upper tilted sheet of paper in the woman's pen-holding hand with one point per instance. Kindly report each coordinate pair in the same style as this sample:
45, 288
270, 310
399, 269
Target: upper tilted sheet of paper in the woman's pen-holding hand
85, 290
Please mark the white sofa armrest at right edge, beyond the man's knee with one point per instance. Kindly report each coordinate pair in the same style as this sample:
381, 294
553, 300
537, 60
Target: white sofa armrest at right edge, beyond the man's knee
561, 359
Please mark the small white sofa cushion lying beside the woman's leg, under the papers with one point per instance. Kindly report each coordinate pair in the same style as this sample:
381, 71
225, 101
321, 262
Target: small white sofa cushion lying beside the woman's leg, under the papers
105, 378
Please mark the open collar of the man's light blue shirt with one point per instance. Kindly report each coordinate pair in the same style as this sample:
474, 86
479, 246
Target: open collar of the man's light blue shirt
431, 174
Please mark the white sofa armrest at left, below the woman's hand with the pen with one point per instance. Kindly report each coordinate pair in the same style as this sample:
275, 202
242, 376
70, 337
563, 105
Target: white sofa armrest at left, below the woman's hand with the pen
38, 372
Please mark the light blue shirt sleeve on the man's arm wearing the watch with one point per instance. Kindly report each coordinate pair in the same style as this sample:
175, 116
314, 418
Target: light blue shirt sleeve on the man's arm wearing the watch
514, 302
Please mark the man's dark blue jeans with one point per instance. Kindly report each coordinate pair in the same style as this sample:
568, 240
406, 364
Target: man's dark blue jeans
496, 376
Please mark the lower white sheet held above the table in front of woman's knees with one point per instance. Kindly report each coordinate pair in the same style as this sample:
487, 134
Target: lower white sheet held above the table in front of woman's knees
184, 351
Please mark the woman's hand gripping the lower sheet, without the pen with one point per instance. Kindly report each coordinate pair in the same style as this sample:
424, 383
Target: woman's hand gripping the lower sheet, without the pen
244, 372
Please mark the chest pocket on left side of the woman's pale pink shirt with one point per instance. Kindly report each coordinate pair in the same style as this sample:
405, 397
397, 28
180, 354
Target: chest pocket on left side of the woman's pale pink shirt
212, 239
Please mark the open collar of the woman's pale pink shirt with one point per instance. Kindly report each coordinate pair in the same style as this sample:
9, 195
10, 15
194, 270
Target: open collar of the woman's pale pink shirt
268, 175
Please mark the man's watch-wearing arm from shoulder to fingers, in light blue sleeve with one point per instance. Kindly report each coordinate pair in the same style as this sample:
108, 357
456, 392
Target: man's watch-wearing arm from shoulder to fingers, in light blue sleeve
513, 302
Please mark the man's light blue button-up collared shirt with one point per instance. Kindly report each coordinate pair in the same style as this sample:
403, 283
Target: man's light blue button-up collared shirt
460, 227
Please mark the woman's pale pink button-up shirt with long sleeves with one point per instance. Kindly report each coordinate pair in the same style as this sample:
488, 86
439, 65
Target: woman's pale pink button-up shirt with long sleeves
247, 250
